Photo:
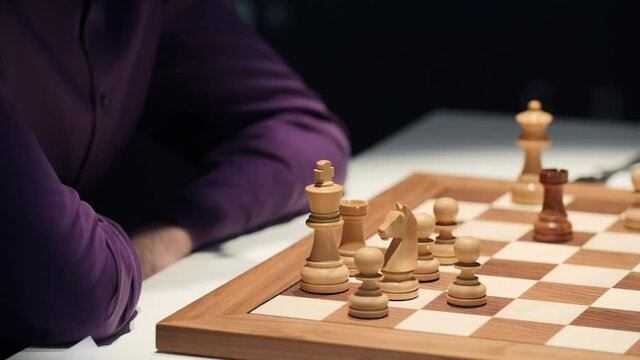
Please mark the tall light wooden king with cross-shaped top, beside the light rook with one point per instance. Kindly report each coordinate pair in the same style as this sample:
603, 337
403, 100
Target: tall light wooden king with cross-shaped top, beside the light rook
324, 271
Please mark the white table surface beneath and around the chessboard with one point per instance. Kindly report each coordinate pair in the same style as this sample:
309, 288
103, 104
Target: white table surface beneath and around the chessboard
451, 142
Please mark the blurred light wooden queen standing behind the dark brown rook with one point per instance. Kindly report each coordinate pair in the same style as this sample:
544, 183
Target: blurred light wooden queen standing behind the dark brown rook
533, 139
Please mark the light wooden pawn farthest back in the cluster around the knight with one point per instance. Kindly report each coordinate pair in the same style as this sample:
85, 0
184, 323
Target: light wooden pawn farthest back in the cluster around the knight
446, 212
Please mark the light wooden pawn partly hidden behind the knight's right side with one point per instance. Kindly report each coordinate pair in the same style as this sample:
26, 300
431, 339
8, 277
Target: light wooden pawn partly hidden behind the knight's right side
428, 268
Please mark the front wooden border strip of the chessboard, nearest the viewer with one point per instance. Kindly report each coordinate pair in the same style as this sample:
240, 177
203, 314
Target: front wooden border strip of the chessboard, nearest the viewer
263, 337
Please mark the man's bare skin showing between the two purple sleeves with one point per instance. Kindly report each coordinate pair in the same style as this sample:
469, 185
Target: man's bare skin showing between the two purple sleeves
160, 246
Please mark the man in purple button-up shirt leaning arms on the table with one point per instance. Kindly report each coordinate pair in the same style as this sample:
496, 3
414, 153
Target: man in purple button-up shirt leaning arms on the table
75, 80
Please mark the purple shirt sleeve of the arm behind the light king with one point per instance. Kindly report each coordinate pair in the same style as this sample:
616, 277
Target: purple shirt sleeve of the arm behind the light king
243, 116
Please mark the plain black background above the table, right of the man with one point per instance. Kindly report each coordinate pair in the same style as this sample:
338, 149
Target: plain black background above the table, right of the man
380, 65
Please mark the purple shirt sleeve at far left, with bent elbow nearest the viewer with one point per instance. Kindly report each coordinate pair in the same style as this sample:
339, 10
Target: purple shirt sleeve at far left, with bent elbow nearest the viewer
66, 271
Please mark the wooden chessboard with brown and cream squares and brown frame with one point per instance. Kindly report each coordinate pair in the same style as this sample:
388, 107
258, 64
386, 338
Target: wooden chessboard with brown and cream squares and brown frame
579, 299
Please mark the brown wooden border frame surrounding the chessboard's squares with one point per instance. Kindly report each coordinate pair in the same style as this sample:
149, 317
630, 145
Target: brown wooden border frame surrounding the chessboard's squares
219, 324
